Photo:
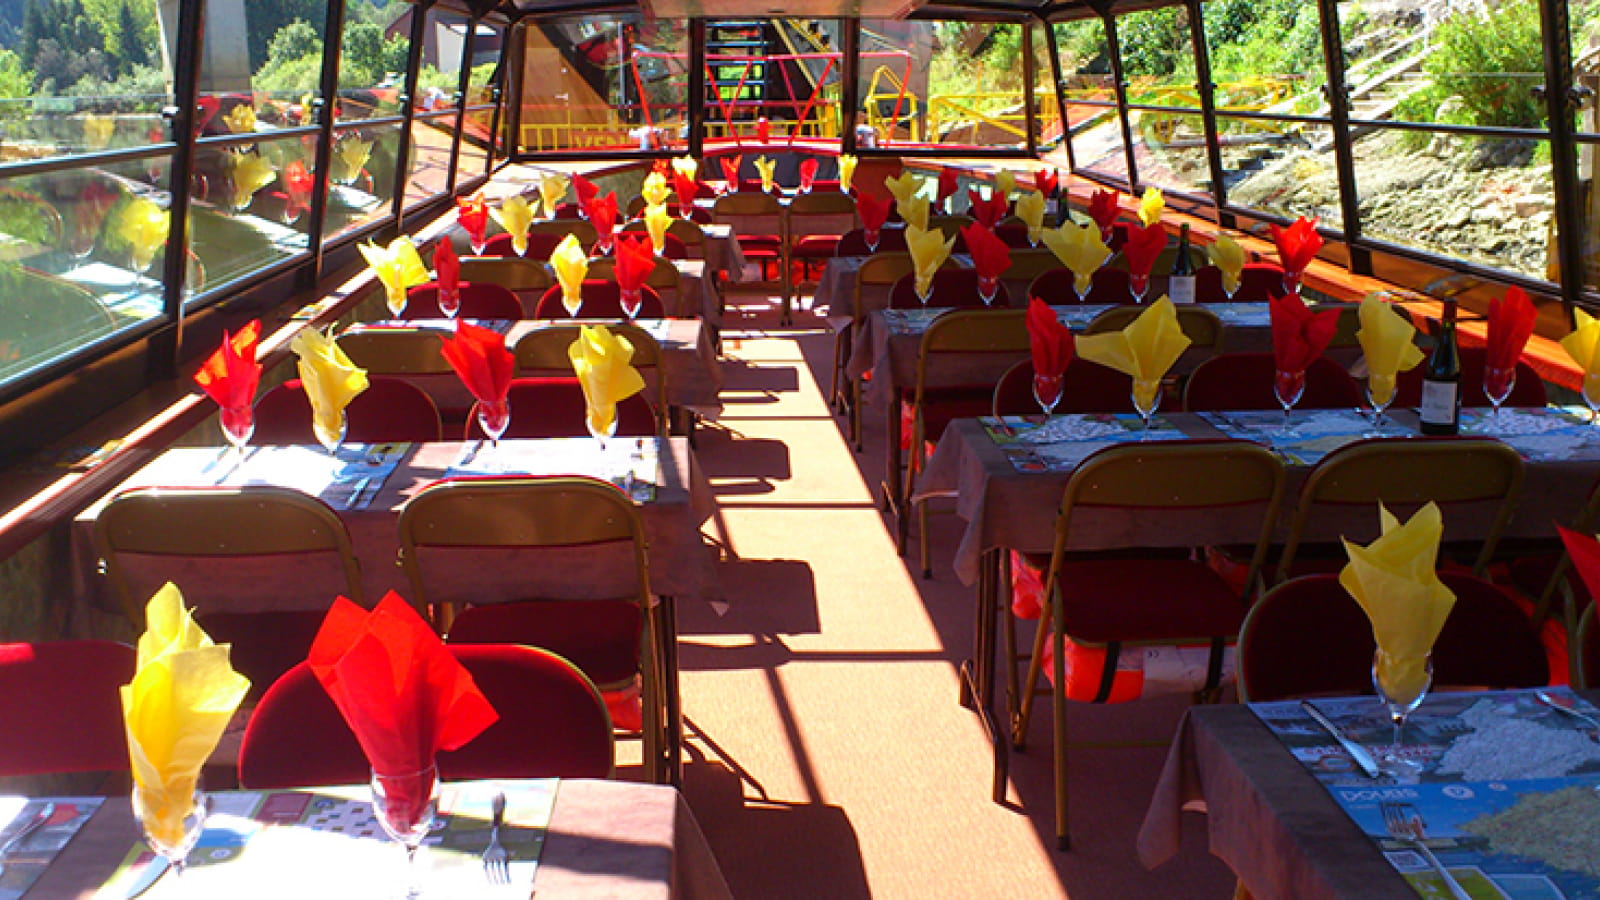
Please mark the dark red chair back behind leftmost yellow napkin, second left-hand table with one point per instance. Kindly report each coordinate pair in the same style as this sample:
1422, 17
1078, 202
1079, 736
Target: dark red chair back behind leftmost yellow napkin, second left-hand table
388, 411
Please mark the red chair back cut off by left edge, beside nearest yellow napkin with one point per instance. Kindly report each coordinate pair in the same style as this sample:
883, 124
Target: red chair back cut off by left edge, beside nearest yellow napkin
62, 707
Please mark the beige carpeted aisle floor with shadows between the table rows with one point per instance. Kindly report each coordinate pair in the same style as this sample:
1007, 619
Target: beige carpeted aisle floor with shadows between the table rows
828, 755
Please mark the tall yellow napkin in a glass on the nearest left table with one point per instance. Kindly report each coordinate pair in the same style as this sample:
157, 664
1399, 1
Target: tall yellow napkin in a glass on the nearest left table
182, 697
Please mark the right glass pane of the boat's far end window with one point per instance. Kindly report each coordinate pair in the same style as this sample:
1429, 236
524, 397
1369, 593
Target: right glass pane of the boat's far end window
948, 84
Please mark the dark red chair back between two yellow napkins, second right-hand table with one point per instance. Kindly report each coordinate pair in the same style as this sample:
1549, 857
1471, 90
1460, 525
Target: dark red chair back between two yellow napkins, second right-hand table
1244, 382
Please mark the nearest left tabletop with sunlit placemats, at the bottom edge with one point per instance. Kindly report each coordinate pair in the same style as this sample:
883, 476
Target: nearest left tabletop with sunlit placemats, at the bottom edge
567, 838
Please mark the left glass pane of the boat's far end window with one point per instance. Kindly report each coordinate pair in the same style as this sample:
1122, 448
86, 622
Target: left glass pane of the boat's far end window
583, 86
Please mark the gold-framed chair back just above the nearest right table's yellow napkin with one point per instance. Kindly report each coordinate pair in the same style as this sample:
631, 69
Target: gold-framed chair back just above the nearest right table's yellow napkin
1410, 472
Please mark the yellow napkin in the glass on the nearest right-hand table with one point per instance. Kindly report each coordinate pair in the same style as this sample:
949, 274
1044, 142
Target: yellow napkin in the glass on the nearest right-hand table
1396, 582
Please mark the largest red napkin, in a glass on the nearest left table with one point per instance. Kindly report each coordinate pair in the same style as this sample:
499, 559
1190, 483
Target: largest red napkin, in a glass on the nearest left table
398, 688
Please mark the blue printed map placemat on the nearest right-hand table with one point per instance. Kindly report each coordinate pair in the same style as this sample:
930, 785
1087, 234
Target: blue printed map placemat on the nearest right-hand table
1508, 790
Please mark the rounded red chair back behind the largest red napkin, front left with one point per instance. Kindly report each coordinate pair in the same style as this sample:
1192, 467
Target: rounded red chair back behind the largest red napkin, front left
553, 725
